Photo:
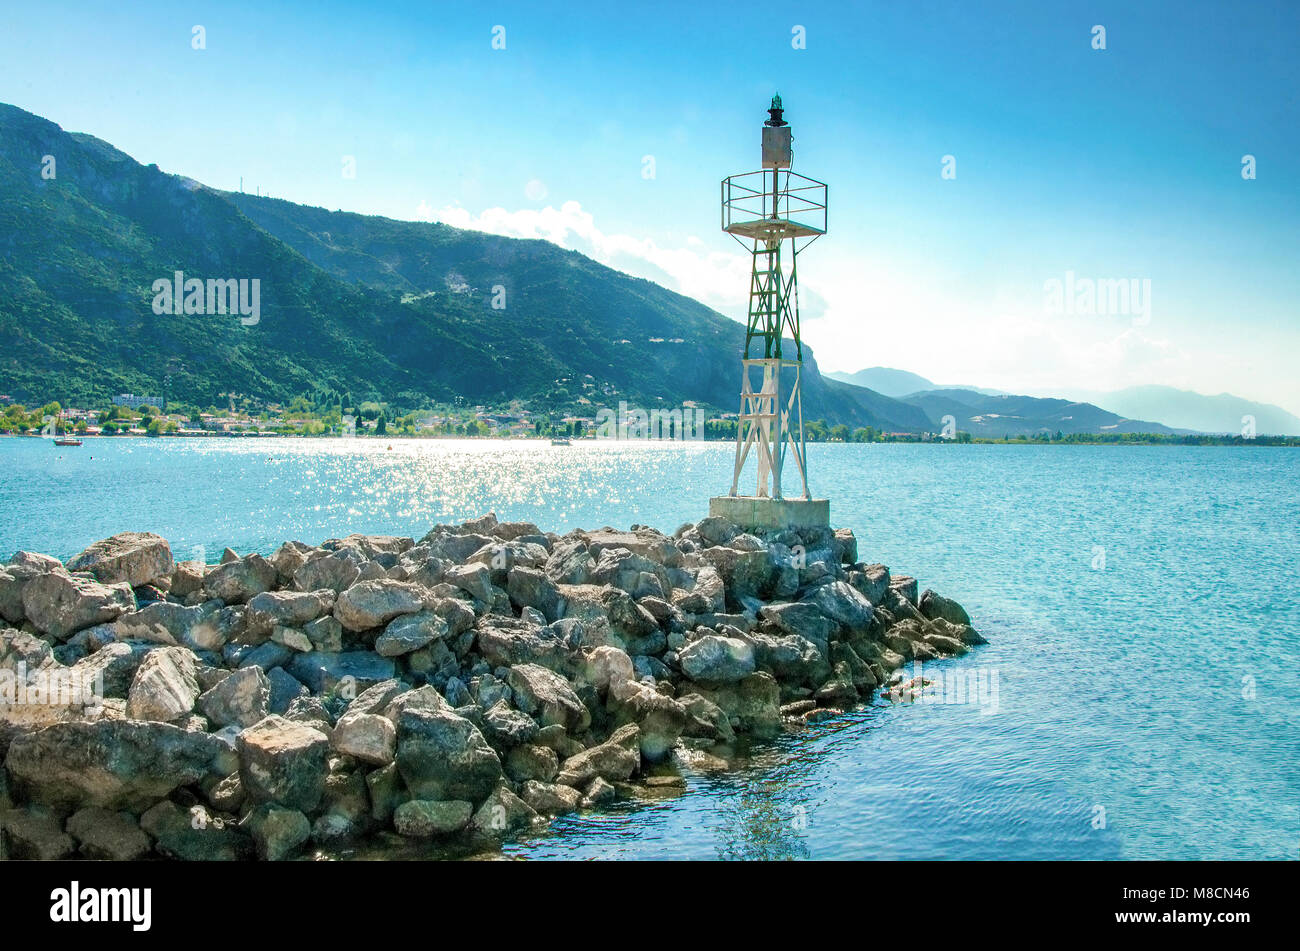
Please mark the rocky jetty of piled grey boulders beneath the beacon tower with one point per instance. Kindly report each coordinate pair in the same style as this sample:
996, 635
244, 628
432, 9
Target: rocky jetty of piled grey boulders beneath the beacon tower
469, 684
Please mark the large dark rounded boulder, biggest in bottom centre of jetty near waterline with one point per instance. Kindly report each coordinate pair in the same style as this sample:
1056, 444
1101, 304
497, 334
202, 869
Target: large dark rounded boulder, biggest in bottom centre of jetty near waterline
445, 757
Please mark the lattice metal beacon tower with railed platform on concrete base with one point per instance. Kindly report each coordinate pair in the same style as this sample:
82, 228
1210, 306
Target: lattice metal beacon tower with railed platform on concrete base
764, 211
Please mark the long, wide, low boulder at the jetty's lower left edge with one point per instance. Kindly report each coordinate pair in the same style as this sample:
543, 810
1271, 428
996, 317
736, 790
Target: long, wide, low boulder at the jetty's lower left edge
115, 765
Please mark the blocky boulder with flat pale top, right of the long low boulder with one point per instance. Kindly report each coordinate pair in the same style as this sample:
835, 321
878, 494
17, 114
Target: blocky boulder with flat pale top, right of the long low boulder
284, 762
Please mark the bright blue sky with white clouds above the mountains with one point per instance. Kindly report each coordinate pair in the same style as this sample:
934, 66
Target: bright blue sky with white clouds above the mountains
1111, 164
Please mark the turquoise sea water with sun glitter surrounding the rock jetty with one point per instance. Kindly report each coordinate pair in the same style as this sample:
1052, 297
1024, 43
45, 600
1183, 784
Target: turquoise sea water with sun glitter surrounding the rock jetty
1141, 606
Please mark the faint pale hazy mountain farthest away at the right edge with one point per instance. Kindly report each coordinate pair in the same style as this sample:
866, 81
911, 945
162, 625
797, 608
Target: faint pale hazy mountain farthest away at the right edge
1188, 410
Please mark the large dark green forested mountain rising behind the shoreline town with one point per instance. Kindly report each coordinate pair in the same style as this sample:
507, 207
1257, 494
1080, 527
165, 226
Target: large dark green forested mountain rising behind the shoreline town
354, 305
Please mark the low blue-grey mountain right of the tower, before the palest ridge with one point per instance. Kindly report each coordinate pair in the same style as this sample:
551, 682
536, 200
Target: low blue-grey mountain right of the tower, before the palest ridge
1008, 416
